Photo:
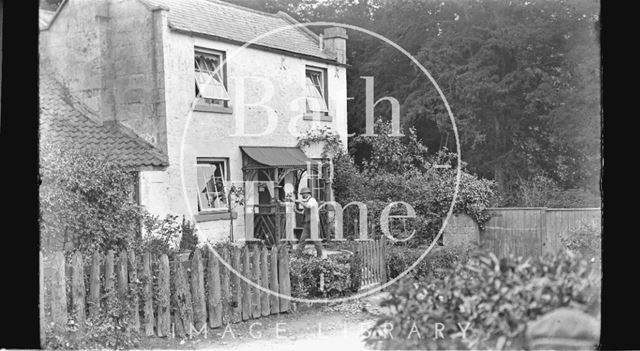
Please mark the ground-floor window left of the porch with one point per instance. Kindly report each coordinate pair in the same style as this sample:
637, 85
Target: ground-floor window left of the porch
212, 184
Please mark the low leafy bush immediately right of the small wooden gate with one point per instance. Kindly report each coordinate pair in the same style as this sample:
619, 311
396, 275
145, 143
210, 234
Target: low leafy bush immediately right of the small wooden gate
435, 265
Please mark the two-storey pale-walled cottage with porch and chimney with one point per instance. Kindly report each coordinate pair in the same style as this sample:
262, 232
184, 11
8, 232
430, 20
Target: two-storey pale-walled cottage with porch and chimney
220, 93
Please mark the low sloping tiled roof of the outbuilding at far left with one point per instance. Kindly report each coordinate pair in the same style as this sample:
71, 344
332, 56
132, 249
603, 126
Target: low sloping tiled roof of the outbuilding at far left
61, 122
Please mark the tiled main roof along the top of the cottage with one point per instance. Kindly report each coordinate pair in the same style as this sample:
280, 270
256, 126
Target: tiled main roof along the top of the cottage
232, 22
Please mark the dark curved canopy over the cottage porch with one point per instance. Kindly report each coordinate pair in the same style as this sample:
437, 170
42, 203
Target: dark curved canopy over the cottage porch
260, 157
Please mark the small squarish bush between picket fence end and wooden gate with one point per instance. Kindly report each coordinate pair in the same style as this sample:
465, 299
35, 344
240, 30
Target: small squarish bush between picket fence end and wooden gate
341, 277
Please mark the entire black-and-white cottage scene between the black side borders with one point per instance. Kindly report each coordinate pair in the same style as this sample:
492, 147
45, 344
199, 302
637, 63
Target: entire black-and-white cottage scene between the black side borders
319, 174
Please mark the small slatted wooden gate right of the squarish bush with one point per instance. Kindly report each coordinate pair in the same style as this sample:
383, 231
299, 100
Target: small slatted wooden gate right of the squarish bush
374, 264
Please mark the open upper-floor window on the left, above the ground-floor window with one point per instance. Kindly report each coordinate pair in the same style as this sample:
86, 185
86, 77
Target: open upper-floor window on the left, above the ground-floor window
211, 79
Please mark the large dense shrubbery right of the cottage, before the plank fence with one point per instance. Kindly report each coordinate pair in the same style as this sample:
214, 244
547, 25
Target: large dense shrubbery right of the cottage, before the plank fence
397, 169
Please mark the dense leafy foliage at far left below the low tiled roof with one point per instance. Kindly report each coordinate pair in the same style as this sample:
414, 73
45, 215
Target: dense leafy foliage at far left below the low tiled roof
86, 201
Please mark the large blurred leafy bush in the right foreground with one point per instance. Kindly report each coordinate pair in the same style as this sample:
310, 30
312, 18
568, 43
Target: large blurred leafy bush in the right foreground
497, 297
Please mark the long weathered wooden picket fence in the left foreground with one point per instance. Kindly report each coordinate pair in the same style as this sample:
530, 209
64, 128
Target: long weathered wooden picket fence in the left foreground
184, 295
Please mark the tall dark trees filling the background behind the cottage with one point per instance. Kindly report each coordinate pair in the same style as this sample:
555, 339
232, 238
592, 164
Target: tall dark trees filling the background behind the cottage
522, 78
